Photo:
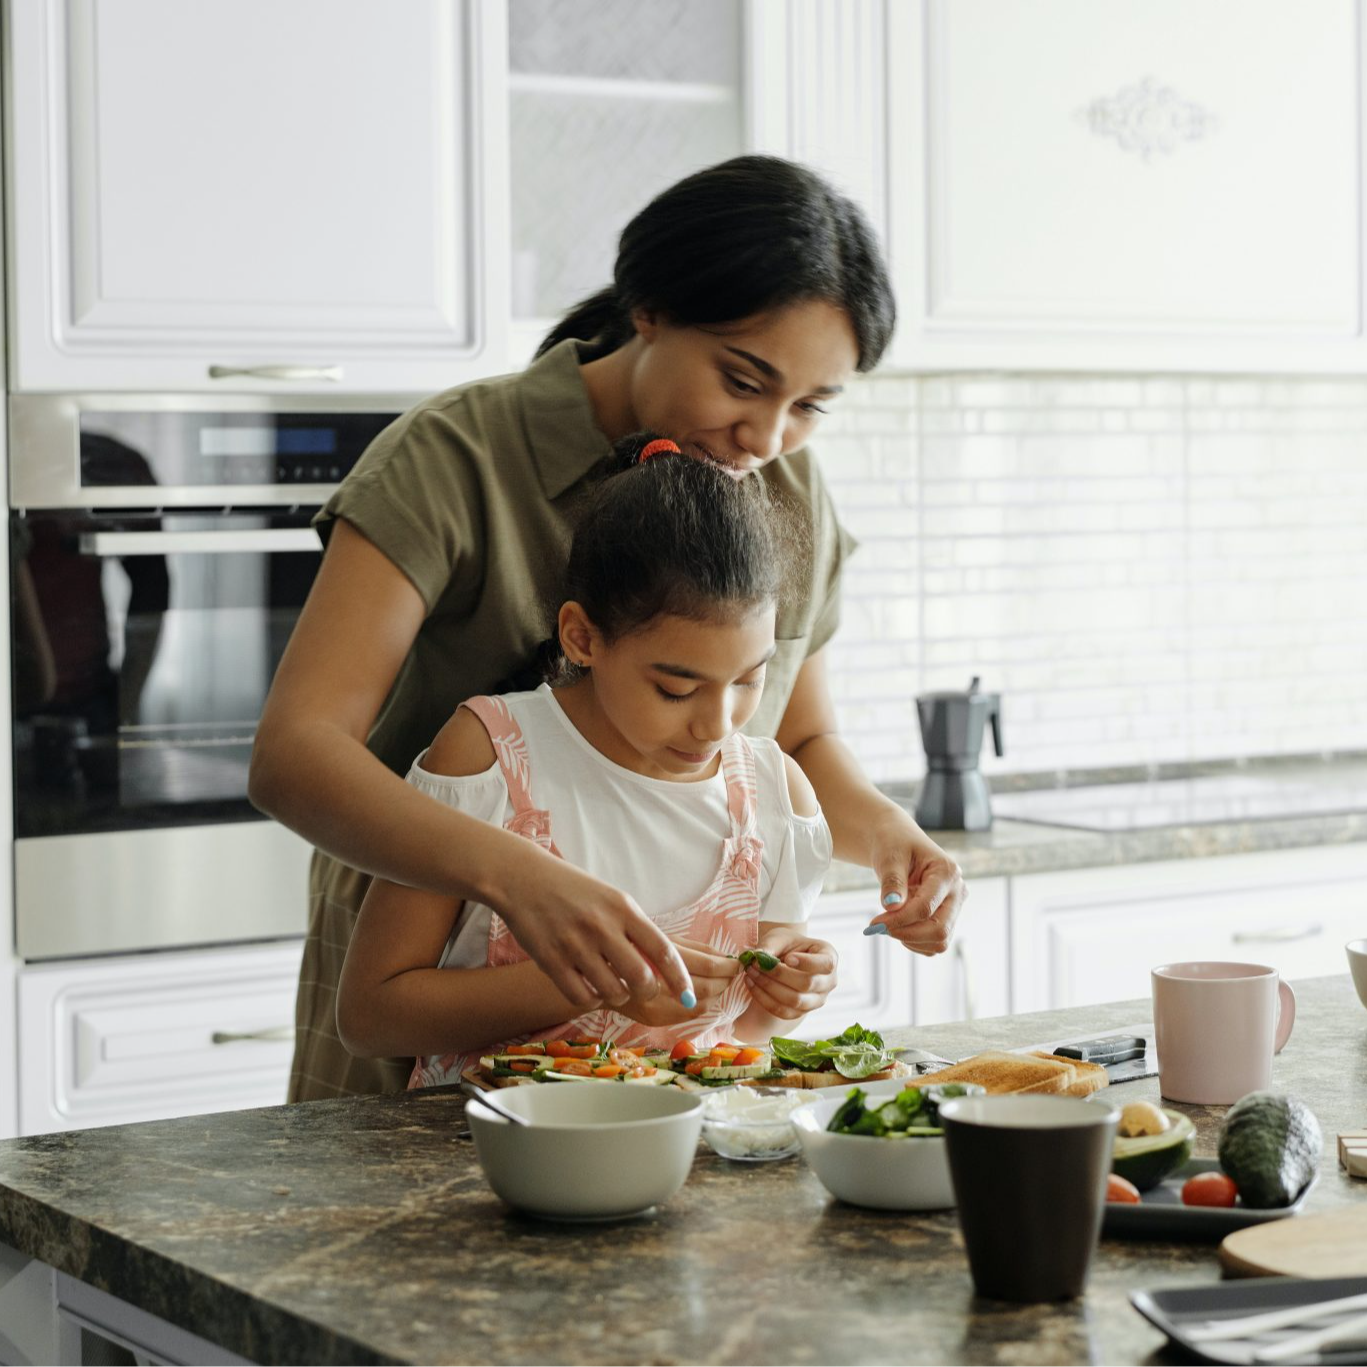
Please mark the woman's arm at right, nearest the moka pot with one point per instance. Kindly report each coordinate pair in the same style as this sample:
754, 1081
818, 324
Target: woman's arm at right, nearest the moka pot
921, 886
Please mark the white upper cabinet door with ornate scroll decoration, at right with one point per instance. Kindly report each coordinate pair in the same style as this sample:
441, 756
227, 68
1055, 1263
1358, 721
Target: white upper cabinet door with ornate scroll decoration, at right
1102, 187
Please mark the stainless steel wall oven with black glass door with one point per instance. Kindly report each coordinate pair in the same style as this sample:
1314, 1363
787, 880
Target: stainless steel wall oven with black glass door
161, 553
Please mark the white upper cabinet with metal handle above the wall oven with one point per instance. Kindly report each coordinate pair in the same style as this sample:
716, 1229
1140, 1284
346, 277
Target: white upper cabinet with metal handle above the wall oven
243, 195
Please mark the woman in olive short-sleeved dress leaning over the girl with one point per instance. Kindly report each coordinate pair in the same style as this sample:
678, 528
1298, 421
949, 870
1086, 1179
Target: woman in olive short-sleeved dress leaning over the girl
744, 299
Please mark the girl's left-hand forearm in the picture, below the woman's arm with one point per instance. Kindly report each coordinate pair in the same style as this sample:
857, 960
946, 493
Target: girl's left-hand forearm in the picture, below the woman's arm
448, 1011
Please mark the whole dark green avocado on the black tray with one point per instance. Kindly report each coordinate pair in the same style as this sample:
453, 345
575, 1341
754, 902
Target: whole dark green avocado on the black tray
1271, 1145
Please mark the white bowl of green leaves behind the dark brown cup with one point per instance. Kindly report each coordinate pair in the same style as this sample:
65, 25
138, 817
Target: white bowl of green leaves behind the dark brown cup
865, 1171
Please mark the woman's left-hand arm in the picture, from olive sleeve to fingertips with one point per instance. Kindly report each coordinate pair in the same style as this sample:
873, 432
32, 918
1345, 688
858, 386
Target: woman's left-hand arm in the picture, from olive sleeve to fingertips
312, 772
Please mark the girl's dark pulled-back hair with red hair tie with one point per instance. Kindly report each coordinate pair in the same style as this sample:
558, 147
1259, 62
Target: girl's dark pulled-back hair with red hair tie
673, 537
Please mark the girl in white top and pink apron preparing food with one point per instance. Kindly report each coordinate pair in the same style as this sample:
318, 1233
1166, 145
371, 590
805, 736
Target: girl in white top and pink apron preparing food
635, 770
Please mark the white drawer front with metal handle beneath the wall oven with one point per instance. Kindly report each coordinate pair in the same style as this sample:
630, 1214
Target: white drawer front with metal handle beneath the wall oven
150, 1037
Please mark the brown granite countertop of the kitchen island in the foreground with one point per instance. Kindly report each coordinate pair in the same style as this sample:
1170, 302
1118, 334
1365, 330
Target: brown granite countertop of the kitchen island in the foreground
362, 1231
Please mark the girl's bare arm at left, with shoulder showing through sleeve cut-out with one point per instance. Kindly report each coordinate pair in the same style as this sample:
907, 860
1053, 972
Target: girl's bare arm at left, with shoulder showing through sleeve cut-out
393, 999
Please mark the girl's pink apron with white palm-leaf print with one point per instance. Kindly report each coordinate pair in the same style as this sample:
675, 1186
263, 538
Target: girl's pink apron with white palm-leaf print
725, 918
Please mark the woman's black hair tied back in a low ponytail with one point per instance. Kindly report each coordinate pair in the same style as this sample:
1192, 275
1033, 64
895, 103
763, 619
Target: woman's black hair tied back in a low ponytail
744, 237
